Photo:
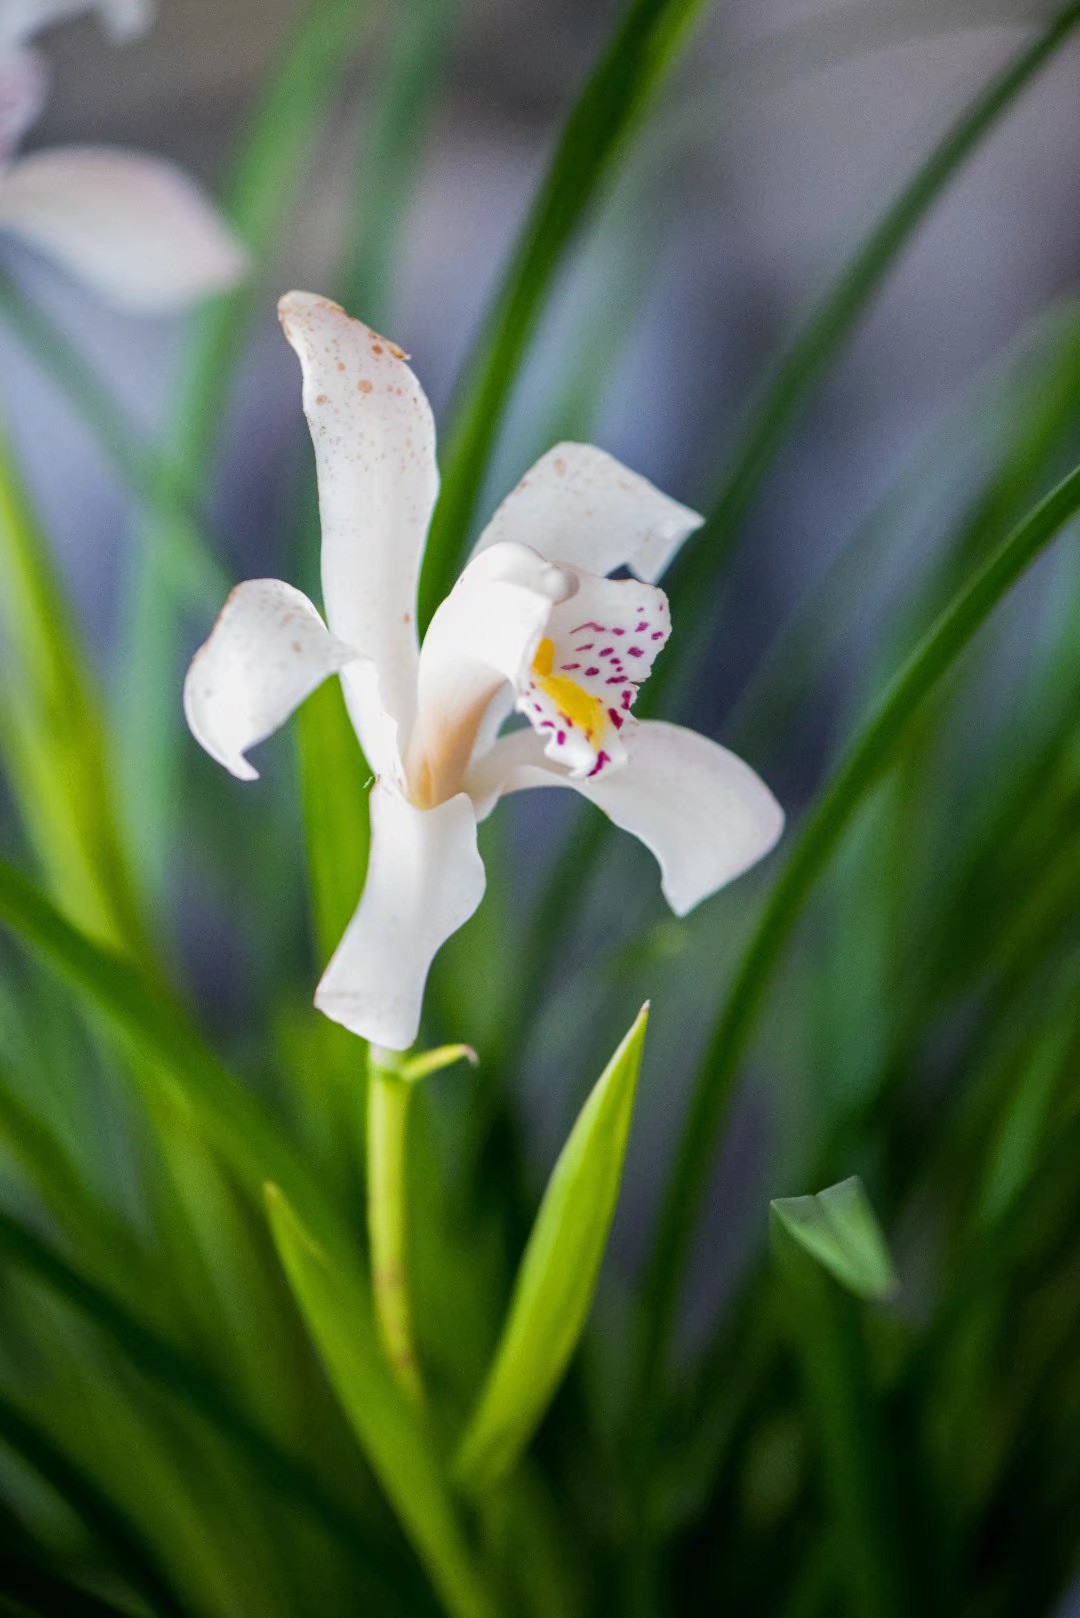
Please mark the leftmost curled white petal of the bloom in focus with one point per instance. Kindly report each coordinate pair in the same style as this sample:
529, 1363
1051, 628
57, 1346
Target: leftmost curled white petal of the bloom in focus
268, 651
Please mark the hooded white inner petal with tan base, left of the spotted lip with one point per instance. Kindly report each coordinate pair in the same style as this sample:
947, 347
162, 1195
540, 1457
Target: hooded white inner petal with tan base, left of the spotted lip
483, 635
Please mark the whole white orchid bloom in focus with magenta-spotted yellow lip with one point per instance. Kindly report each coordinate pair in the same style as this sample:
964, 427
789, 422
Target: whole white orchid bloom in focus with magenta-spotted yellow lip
534, 625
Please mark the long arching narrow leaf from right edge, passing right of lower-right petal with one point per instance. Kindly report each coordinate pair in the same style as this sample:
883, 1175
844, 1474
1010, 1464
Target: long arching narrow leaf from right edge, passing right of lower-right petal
862, 765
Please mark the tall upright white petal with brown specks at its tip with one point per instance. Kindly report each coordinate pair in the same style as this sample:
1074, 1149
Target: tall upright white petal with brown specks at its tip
375, 443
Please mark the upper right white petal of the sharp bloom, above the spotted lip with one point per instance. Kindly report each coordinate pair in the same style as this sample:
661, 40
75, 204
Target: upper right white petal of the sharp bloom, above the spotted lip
580, 506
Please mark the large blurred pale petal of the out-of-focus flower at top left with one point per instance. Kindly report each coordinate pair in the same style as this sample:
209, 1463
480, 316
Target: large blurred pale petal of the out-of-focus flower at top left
134, 229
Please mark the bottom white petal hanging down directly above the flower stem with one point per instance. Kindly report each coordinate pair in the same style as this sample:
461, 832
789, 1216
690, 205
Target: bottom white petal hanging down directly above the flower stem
425, 881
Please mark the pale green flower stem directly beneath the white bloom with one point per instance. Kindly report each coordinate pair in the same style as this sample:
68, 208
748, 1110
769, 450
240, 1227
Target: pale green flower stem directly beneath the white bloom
389, 1096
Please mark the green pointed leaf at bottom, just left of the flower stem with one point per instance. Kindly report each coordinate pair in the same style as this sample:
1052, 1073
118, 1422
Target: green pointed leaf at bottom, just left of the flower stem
341, 1321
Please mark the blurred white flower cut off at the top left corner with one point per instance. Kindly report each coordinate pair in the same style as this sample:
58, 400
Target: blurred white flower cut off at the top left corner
132, 227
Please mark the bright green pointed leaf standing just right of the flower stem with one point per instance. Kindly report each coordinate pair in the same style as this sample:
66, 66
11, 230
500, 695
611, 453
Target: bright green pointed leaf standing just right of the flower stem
558, 1277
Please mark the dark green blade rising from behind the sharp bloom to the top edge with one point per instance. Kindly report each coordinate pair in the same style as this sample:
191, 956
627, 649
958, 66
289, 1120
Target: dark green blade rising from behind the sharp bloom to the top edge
605, 117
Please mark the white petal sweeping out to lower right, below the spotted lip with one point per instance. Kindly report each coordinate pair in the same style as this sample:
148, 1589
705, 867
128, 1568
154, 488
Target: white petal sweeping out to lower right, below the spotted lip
702, 811
